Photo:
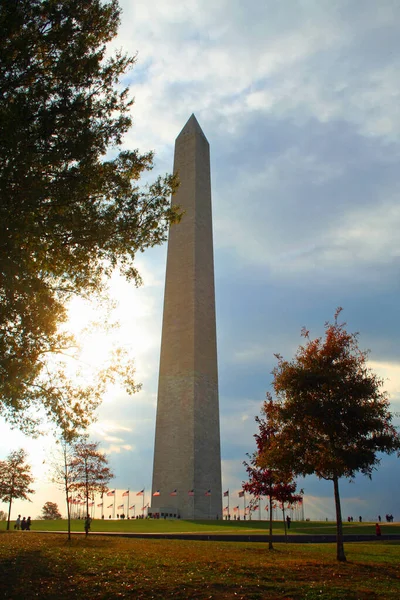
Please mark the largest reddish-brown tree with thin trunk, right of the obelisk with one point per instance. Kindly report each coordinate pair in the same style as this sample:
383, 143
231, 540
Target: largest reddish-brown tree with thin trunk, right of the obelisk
330, 414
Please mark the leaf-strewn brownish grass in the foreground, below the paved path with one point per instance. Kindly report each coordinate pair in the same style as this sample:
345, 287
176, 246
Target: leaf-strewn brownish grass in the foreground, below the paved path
49, 567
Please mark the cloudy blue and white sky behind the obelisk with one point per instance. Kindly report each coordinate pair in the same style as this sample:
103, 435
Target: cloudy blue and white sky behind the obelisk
300, 102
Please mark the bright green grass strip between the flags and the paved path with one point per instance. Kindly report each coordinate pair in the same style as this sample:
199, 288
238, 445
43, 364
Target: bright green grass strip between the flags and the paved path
229, 527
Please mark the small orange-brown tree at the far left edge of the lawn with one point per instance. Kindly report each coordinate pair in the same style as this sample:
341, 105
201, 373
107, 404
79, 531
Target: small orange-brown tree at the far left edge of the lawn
15, 479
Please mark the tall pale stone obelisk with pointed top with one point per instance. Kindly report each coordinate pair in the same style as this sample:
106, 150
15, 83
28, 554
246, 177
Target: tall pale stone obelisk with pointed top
187, 455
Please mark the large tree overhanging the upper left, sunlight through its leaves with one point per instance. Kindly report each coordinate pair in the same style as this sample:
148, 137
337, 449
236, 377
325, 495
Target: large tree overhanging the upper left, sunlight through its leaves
71, 210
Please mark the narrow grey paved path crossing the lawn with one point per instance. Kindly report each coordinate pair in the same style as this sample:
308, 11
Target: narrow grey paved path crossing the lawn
224, 537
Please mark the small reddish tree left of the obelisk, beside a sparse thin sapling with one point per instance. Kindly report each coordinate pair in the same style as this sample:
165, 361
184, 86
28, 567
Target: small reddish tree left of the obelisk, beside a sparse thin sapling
88, 470
